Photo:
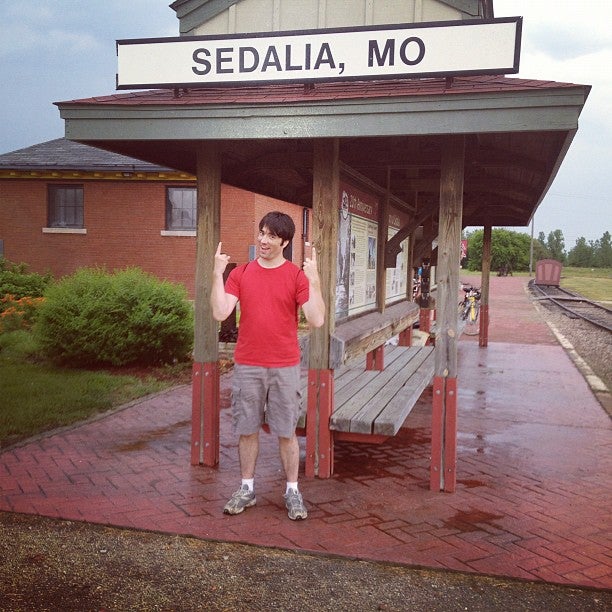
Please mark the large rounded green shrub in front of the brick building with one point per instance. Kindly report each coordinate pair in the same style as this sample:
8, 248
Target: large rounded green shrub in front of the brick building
97, 318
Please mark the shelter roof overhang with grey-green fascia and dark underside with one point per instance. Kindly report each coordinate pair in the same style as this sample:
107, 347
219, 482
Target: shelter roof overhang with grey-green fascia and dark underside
391, 134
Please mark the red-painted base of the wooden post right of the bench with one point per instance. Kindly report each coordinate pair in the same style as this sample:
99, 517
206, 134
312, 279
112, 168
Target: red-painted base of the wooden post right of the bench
443, 470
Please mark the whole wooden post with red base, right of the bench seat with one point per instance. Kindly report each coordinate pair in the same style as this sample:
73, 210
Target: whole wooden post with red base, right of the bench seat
444, 417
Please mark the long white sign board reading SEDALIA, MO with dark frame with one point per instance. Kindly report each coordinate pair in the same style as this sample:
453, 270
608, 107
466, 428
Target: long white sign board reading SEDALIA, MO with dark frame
408, 50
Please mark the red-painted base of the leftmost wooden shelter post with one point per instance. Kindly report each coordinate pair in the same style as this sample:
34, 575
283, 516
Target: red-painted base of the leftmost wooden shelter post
205, 414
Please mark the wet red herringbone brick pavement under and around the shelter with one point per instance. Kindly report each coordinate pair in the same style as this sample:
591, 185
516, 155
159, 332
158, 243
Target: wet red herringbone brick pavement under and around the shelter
534, 472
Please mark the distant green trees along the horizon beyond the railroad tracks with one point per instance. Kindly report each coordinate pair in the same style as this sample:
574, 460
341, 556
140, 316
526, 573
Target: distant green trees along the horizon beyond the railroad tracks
512, 250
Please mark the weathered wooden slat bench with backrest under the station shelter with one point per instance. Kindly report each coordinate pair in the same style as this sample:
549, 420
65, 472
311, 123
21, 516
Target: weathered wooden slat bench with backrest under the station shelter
376, 383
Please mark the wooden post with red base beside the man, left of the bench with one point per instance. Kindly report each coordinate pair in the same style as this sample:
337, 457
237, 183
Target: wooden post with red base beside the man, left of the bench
325, 204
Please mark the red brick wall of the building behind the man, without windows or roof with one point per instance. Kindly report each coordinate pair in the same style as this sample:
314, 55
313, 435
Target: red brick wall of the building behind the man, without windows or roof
124, 221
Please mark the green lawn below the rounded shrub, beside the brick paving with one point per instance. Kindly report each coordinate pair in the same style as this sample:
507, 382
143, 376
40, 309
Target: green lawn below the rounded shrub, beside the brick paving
37, 396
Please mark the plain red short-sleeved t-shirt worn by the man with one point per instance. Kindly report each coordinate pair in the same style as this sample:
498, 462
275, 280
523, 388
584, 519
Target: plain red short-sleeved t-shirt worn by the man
269, 301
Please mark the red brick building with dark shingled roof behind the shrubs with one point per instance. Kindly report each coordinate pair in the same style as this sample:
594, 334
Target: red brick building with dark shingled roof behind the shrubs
65, 205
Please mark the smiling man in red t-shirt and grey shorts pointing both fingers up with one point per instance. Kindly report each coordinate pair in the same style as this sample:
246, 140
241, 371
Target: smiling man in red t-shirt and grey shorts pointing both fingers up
267, 357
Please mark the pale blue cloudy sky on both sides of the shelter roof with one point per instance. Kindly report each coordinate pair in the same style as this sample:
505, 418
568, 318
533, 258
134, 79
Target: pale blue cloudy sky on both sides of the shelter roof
53, 50
